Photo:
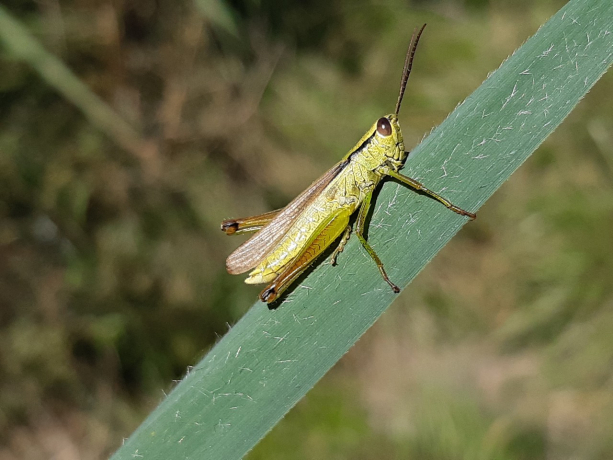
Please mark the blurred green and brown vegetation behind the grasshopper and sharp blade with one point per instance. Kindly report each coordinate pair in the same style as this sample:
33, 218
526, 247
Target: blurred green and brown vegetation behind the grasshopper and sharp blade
112, 278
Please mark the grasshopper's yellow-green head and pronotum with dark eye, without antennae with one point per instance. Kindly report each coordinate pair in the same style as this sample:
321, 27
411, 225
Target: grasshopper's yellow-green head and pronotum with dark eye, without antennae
382, 144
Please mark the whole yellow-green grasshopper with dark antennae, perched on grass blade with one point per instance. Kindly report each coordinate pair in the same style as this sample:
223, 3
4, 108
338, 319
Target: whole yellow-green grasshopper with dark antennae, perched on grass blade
289, 240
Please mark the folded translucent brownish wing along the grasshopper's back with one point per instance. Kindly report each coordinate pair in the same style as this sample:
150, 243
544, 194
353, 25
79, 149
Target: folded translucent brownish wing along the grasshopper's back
255, 249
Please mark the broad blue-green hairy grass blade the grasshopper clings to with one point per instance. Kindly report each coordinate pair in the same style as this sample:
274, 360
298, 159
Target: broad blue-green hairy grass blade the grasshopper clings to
269, 360
